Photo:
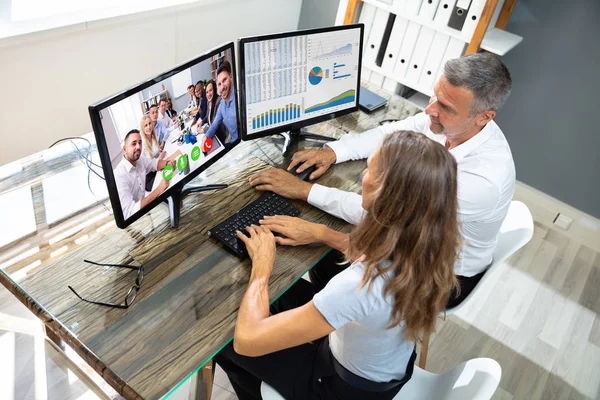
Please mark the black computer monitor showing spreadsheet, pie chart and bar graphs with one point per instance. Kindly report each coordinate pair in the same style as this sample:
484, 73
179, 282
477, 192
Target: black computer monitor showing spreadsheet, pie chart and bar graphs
294, 79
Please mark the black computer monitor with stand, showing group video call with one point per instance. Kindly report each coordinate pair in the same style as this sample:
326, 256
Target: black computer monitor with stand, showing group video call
155, 137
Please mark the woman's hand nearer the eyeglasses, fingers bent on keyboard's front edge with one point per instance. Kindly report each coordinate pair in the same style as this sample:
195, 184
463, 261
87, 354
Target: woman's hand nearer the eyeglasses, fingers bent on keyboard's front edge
261, 248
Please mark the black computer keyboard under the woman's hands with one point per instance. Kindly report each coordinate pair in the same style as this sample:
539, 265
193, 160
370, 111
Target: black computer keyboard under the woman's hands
267, 204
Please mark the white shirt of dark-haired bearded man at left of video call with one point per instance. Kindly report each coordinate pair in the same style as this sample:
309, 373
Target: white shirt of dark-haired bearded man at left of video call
131, 183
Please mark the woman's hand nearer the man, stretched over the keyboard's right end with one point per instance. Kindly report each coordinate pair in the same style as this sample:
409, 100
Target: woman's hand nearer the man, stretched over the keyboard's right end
296, 230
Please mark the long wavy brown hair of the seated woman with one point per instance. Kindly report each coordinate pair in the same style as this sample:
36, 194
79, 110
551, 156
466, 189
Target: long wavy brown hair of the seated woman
410, 230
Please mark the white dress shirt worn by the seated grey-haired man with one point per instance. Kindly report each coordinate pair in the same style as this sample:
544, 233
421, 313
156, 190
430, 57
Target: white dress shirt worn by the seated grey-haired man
486, 184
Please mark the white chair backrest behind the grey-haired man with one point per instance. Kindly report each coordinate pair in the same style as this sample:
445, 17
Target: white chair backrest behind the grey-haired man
516, 231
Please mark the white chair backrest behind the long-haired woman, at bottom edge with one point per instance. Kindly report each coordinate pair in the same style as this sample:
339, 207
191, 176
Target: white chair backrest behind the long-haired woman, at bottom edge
476, 379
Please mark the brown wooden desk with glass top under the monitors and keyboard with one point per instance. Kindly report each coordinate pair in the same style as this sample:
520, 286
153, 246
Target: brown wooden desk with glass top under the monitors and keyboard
186, 309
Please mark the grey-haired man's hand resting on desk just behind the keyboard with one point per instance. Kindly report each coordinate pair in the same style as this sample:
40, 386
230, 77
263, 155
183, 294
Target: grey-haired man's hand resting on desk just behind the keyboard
283, 183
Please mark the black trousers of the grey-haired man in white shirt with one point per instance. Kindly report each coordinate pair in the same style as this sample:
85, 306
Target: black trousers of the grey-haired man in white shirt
329, 266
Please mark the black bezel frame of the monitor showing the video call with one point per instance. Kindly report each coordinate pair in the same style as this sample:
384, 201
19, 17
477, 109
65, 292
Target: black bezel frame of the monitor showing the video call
94, 111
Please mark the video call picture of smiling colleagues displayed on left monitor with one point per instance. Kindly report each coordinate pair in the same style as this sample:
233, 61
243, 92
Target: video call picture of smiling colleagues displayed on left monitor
171, 124
